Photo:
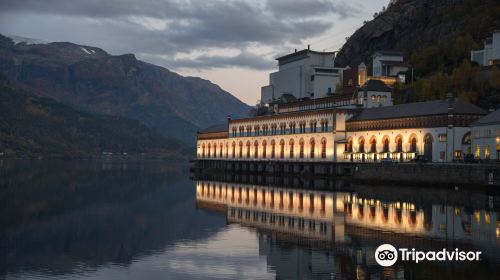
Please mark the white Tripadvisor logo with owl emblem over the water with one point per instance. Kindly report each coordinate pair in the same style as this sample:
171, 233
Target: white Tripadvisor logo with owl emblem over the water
387, 255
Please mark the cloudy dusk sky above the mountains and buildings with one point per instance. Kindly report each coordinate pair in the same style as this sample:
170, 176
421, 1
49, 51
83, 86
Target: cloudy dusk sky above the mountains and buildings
231, 43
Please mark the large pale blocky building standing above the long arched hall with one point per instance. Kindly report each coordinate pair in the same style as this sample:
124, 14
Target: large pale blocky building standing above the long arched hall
303, 74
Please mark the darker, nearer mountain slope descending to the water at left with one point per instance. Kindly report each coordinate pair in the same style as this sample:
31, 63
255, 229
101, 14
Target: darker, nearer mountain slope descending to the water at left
32, 126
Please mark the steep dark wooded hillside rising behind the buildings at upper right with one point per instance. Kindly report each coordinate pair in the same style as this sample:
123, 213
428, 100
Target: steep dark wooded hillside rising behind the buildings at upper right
436, 37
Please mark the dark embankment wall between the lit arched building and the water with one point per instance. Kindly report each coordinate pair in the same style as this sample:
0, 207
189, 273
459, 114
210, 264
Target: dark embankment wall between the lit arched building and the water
450, 174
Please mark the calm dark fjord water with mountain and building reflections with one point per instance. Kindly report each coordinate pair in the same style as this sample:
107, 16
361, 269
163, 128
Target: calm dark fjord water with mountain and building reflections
149, 220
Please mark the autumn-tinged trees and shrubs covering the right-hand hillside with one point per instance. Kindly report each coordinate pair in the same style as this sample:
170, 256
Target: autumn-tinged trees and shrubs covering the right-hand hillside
445, 67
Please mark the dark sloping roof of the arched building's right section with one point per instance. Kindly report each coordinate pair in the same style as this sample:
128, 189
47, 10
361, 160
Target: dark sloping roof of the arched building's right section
436, 107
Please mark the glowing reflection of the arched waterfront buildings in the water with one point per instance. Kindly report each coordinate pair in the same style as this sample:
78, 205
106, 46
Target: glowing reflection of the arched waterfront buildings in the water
346, 227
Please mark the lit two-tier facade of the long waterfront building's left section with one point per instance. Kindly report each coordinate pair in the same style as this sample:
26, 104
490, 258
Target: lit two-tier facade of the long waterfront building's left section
297, 138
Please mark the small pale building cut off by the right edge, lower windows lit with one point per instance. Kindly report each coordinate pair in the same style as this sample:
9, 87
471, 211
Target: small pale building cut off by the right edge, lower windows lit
486, 137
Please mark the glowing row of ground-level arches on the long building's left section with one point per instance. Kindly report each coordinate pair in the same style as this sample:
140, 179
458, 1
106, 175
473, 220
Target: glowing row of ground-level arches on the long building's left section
267, 149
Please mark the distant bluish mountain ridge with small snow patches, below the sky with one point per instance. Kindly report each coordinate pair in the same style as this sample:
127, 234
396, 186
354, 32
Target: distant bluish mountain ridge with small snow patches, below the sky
90, 79
